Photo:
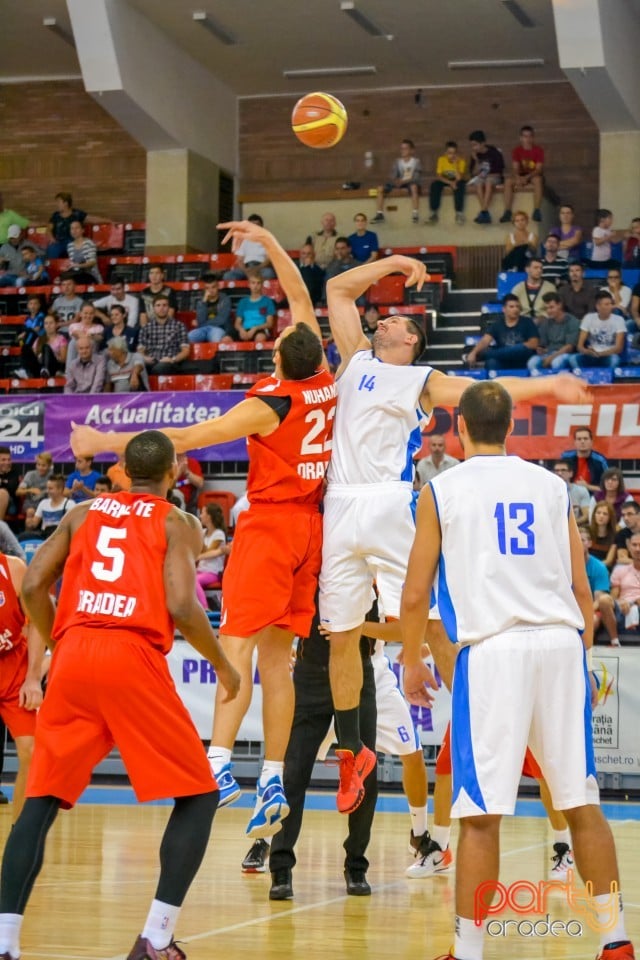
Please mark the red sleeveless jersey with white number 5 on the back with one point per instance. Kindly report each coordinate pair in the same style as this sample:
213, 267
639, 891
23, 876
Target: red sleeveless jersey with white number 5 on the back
114, 575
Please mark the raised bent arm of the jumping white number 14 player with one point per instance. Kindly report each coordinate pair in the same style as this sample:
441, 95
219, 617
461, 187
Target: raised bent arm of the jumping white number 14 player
344, 290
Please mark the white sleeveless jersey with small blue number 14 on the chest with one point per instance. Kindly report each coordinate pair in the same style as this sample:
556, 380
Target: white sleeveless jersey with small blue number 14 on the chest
376, 431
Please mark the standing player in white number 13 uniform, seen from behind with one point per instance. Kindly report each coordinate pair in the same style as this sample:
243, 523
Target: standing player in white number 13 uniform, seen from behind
513, 592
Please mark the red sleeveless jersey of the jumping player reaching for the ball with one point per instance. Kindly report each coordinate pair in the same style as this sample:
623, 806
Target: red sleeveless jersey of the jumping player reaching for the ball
289, 465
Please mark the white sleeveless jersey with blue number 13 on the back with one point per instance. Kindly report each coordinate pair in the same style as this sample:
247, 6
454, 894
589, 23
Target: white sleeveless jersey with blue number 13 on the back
505, 558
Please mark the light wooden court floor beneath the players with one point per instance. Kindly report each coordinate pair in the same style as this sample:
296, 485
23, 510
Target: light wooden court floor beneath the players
101, 868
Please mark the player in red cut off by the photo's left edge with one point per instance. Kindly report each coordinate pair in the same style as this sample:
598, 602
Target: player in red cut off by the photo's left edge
21, 652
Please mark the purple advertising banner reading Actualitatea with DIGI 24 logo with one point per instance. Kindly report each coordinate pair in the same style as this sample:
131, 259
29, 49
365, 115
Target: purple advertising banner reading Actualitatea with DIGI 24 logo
31, 424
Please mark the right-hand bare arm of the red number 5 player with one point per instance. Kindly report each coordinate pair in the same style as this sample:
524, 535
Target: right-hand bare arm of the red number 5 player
184, 540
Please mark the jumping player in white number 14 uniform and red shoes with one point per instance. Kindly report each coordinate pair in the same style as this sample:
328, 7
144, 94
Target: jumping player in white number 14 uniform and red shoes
368, 525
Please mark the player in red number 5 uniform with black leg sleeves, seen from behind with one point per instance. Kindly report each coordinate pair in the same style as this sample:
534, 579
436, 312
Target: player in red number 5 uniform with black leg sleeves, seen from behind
129, 575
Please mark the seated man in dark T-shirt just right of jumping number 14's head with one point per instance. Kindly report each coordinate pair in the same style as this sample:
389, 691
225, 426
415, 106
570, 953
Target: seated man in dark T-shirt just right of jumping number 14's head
514, 337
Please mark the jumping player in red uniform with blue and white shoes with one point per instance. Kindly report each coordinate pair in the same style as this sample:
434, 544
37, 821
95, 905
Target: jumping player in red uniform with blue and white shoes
270, 580
